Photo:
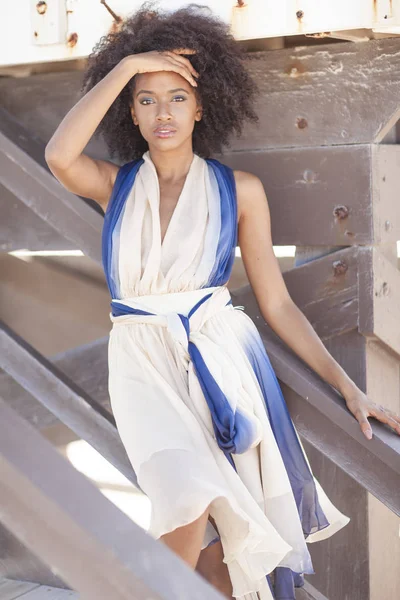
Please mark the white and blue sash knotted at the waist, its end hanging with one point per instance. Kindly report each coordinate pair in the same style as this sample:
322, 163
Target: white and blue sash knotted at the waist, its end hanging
183, 314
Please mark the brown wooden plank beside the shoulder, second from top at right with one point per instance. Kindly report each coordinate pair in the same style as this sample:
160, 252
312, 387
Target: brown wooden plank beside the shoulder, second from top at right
309, 203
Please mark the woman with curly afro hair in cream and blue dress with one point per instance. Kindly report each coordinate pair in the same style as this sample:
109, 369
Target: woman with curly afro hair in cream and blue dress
194, 396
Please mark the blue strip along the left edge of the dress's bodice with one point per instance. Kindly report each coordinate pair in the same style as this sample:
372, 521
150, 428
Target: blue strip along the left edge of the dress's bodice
112, 223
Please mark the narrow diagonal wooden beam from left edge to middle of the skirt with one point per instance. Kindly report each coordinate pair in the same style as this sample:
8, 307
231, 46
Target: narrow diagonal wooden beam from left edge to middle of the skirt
64, 398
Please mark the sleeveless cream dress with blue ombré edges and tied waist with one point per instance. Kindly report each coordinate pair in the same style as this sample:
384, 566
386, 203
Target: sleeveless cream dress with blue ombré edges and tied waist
196, 401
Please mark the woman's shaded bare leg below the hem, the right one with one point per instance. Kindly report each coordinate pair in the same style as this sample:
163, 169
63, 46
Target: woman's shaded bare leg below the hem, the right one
211, 566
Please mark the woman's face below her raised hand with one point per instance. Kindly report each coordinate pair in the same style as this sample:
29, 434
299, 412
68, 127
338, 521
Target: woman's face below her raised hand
165, 108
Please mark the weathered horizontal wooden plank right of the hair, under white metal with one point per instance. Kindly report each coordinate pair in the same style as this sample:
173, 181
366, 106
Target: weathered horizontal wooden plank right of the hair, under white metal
324, 95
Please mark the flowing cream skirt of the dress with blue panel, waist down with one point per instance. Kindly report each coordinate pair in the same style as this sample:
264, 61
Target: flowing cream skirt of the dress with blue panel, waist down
265, 501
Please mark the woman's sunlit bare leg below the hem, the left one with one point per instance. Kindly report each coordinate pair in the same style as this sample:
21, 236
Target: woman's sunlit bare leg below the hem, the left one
186, 541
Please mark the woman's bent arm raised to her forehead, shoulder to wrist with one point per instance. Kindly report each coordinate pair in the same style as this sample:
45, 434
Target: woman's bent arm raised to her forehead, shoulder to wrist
77, 172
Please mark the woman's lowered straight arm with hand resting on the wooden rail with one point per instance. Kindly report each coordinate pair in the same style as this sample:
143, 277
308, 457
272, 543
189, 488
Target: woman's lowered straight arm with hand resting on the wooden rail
281, 313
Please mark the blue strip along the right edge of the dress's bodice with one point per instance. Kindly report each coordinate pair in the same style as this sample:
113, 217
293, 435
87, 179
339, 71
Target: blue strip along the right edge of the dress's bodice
227, 243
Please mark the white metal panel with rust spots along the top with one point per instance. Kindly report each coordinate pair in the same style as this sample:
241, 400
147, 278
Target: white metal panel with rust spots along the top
51, 30
